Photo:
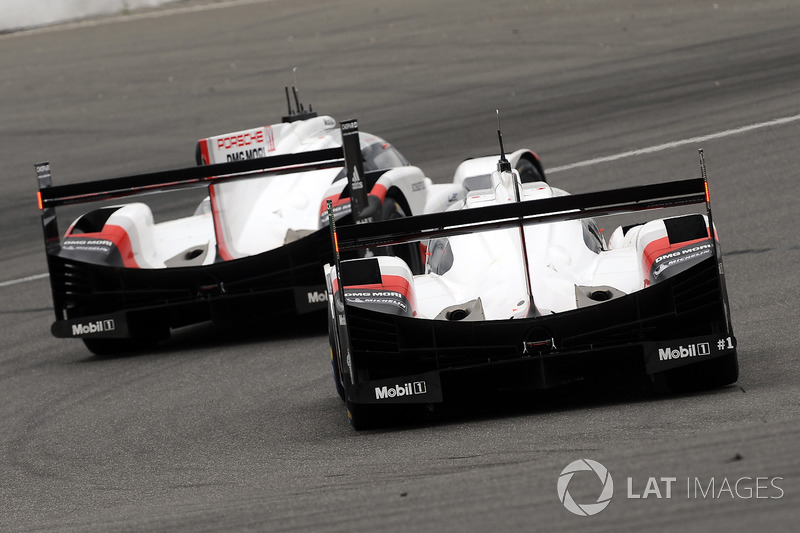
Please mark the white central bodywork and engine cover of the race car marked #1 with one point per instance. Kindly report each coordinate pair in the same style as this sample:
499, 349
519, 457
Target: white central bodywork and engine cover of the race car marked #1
492, 267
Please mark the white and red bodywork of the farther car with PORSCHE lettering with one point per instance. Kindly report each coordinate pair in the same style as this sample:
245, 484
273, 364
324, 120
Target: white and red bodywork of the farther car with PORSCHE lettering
244, 217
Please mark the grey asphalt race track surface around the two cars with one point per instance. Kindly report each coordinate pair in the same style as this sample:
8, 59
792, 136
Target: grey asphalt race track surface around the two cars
242, 430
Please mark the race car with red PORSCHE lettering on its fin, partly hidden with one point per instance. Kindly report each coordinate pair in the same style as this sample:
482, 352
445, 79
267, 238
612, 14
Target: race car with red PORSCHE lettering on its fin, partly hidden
254, 247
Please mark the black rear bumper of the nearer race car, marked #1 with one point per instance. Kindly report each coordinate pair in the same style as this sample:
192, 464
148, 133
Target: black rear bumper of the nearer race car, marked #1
678, 322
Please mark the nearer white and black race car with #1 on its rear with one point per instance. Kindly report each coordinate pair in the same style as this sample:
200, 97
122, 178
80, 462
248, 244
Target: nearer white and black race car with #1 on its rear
522, 291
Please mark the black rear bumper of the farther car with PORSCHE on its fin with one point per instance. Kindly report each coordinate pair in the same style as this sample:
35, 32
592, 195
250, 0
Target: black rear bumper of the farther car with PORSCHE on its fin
99, 301
